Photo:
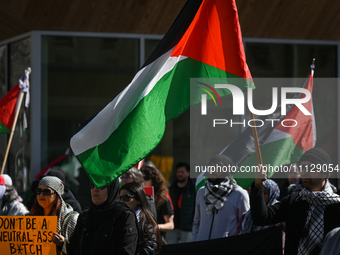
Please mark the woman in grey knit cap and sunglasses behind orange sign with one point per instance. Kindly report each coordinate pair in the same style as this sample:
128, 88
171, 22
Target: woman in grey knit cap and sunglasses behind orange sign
49, 202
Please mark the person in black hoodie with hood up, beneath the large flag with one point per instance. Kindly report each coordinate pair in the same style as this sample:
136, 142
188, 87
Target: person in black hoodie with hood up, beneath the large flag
108, 227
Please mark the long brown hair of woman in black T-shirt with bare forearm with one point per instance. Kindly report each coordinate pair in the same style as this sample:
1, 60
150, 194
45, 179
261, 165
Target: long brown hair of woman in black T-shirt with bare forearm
158, 182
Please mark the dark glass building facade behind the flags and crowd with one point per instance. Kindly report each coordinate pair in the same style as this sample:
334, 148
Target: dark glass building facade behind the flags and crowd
75, 75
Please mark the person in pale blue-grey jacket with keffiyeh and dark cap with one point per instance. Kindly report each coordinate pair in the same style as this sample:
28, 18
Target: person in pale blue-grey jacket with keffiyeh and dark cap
220, 204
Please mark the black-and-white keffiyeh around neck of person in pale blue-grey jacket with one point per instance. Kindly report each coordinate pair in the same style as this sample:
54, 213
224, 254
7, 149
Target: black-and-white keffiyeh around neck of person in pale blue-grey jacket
216, 195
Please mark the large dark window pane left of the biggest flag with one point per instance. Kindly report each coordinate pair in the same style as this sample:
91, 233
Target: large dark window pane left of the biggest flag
80, 76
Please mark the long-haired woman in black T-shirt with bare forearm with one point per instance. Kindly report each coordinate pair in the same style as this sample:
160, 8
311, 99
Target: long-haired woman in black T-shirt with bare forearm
165, 214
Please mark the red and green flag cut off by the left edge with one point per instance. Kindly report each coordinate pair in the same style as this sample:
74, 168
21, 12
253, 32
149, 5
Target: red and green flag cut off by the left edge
7, 109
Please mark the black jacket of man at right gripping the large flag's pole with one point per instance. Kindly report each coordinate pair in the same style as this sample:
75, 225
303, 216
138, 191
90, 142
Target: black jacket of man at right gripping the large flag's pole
293, 212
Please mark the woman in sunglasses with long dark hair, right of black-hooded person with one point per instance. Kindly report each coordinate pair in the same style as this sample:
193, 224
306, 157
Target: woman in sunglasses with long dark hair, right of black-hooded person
133, 195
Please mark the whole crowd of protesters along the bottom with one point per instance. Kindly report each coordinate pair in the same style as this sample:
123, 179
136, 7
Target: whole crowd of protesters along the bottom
125, 219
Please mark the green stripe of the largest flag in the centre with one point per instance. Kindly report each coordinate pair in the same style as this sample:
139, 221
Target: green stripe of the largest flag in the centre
143, 128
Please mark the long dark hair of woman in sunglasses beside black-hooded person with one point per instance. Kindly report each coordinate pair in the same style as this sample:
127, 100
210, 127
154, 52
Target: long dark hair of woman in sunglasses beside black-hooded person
146, 216
